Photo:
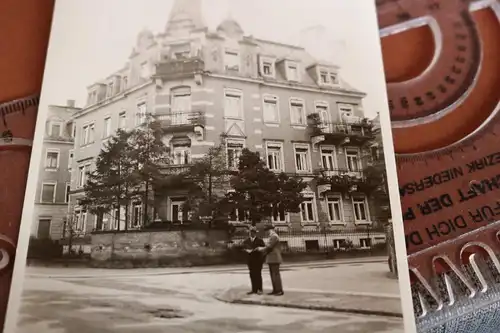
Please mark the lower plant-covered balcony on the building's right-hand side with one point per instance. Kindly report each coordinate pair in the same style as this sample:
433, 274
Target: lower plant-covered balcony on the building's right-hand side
345, 180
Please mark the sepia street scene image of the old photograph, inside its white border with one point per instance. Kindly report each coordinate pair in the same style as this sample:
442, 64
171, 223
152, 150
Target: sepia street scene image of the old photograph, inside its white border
211, 166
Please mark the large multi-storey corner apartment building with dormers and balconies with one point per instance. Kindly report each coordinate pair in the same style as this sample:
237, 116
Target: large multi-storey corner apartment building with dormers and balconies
254, 93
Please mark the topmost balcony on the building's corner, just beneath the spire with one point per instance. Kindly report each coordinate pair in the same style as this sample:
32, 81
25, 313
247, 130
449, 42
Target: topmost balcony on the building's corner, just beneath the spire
179, 68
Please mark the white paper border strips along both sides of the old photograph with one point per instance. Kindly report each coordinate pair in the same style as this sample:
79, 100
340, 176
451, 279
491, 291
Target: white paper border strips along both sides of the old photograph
18, 273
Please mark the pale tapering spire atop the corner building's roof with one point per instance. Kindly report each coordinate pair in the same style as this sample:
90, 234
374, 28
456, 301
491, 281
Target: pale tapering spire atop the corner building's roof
186, 15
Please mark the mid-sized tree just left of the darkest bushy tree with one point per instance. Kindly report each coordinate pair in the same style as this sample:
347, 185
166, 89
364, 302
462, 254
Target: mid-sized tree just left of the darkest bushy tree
207, 181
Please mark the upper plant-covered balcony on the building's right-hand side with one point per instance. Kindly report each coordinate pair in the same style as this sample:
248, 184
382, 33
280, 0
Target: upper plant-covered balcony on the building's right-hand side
355, 131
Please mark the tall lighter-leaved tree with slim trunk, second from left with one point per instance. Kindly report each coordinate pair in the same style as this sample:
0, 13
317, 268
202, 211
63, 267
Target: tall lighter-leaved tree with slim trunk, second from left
149, 155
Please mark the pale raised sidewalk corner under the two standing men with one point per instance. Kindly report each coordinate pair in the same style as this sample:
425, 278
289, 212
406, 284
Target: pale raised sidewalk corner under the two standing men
334, 302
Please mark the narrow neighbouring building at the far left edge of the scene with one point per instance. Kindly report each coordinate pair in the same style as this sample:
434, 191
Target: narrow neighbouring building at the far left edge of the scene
52, 194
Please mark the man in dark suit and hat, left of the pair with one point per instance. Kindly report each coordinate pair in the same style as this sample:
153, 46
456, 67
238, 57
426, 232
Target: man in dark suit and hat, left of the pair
255, 259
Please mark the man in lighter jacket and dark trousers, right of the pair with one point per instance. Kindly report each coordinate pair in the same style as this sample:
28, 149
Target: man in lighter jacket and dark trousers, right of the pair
273, 259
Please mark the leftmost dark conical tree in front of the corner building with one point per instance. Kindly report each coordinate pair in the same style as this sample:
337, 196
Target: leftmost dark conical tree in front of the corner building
111, 184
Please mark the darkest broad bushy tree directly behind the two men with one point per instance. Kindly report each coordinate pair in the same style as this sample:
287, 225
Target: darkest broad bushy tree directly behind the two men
260, 192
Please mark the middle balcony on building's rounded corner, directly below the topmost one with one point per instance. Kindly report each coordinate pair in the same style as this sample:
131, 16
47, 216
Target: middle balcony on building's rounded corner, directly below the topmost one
181, 121
